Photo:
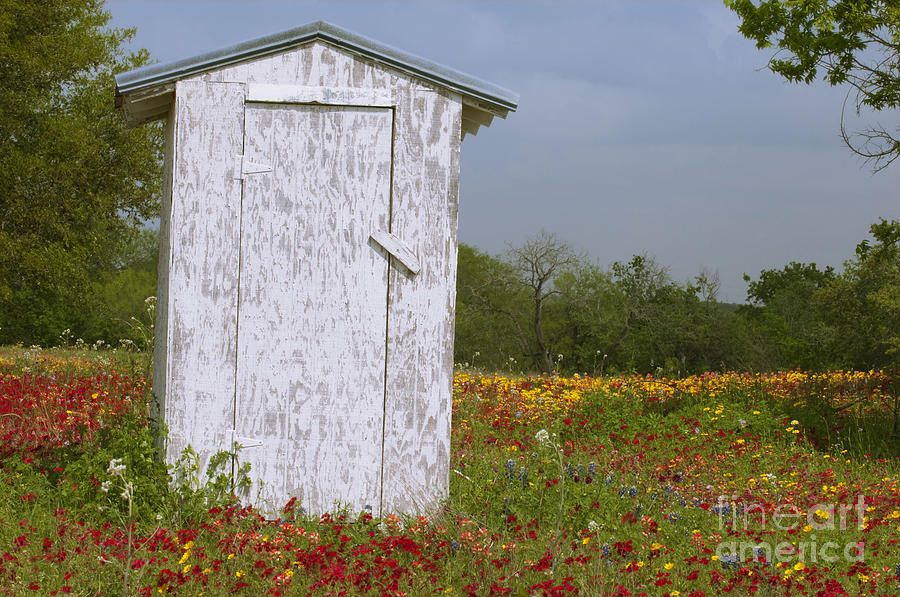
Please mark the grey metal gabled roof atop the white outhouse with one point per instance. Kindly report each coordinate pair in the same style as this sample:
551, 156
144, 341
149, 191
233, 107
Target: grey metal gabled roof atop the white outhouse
161, 74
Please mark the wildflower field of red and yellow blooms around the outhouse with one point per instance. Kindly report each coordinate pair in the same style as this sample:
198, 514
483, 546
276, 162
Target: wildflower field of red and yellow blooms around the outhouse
778, 484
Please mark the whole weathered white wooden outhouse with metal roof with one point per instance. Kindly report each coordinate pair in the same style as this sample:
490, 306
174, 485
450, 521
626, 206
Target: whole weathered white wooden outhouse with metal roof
308, 262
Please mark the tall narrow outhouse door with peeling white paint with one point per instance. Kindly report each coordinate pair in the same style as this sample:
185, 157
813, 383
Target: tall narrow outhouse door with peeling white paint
313, 298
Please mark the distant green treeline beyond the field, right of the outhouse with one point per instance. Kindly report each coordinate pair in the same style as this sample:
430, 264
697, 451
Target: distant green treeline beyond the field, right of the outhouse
542, 307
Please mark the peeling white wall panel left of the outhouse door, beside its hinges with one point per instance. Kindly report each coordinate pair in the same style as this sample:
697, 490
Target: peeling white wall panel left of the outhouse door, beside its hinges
204, 229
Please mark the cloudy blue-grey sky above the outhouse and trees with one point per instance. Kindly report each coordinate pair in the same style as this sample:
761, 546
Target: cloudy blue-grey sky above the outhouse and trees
643, 127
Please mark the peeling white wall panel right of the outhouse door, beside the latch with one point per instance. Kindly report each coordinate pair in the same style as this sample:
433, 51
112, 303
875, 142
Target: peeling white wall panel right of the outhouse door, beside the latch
420, 340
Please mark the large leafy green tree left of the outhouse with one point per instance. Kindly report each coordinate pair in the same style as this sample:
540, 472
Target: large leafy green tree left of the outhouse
74, 182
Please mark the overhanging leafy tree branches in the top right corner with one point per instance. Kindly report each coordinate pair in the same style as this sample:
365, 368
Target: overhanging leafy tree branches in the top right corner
854, 43
